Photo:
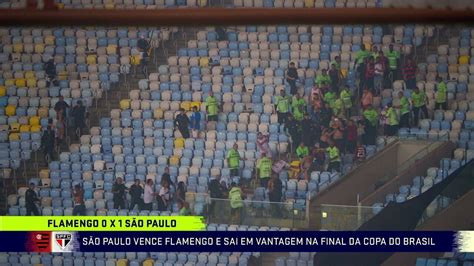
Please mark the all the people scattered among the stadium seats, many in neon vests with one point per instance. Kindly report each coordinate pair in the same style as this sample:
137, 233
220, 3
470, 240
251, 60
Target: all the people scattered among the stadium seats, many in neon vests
331, 121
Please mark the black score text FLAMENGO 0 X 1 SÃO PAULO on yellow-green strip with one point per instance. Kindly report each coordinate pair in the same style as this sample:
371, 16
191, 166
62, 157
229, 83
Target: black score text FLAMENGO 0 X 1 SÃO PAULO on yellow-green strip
112, 223
